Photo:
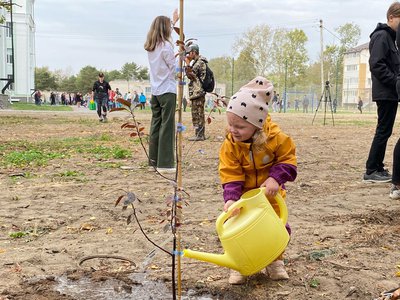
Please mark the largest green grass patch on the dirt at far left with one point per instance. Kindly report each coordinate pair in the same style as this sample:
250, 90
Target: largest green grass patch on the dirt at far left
30, 157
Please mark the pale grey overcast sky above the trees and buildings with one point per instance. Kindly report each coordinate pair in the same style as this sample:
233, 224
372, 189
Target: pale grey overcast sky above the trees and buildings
71, 34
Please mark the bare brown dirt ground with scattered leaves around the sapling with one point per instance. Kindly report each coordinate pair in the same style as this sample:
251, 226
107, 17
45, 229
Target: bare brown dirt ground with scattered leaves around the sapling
345, 233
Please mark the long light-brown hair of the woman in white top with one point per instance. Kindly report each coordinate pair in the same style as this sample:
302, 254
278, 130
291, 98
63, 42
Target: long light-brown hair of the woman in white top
160, 31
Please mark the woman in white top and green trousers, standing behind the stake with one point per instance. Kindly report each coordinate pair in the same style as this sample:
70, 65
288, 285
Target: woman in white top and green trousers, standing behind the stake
163, 89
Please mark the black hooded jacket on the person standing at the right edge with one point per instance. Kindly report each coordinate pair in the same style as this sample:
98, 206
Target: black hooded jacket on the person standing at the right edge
384, 63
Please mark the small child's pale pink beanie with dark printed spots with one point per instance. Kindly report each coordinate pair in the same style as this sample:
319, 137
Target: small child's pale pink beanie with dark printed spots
251, 101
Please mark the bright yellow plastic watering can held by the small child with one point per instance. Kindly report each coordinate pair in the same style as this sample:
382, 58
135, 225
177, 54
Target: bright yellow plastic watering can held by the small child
251, 240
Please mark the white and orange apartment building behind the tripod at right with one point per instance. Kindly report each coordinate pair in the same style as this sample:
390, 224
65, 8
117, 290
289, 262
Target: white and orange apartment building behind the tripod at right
356, 76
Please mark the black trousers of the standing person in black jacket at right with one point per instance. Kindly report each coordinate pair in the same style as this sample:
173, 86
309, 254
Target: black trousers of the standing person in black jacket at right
386, 116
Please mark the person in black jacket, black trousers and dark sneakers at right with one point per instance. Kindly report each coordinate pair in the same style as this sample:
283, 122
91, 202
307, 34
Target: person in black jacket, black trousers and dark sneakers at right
384, 63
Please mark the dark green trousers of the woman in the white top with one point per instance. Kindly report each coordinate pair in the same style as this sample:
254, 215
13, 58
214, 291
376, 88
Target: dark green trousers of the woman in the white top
162, 131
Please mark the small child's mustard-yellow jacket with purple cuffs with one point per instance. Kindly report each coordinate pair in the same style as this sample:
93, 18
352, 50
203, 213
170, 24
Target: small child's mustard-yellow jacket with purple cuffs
242, 169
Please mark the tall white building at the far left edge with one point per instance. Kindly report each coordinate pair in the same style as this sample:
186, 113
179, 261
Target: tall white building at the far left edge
24, 49
